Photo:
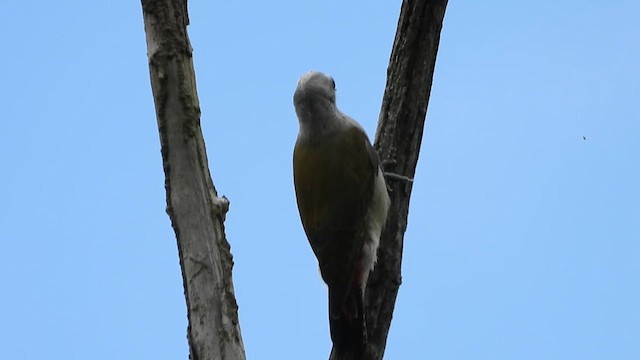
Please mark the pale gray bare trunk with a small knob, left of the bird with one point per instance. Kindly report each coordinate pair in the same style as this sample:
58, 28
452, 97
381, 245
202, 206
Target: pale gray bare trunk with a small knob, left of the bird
196, 212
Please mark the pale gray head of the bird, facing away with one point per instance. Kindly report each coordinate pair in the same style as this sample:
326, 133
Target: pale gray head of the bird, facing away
315, 97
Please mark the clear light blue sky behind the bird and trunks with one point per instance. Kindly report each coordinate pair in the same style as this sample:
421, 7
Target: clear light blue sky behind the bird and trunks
523, 238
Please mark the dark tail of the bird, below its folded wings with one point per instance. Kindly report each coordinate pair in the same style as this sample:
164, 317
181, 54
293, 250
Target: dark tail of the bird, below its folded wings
347, 324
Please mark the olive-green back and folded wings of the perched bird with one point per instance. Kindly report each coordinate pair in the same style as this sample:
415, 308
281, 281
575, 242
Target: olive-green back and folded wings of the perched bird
334, 182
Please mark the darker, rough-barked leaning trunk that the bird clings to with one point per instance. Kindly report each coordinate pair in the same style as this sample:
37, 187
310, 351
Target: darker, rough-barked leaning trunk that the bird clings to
398, 139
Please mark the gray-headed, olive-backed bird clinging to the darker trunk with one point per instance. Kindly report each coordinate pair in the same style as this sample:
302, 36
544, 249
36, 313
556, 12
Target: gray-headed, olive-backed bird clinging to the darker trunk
343, 203
